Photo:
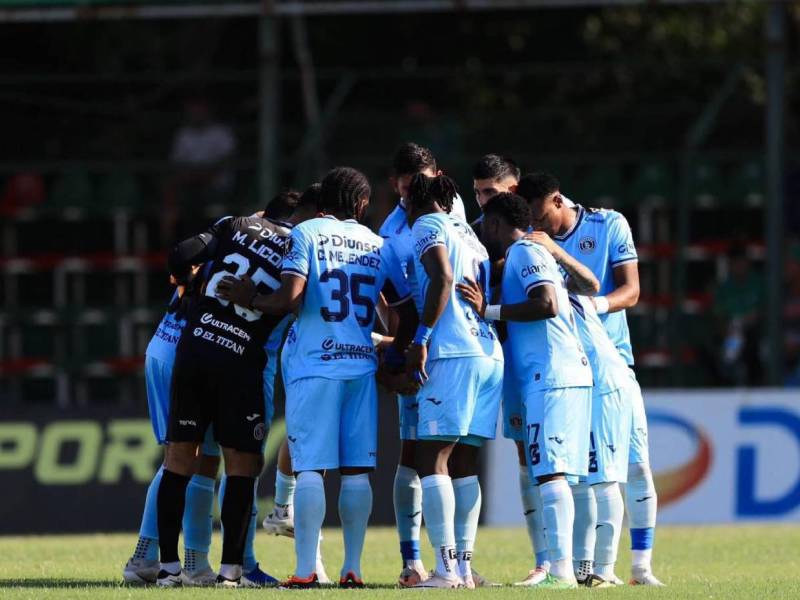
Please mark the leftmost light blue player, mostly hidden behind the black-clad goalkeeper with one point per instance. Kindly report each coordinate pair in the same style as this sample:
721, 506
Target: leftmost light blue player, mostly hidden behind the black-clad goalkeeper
143, 566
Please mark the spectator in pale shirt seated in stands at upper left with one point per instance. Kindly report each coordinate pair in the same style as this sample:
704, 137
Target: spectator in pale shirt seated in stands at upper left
202, 152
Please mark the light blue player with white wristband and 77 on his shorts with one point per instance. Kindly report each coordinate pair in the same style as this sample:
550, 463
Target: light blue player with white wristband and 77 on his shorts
551, 369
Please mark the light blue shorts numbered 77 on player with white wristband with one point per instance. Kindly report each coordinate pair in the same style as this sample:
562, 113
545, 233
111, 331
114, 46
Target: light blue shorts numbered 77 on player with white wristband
557, 428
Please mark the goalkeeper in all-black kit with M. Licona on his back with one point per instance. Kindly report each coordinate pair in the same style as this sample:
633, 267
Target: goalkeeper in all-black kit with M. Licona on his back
218, 380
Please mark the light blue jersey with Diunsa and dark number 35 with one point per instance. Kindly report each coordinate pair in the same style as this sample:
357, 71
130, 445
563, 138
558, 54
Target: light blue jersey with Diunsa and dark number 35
343, 264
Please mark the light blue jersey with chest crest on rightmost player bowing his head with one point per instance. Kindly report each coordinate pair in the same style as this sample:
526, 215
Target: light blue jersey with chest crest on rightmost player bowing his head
601, 239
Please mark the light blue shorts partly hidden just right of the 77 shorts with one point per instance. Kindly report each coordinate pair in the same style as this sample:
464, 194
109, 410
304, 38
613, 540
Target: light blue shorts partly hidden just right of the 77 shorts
609, 443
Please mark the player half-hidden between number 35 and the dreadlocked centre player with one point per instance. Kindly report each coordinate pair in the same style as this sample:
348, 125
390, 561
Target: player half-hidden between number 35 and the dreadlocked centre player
409, 160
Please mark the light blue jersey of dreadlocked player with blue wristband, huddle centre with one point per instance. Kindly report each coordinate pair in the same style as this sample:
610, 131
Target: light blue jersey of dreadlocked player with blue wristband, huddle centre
459, 332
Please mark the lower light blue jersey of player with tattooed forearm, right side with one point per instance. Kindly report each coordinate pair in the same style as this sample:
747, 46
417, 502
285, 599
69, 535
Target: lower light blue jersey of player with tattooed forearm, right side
609, 370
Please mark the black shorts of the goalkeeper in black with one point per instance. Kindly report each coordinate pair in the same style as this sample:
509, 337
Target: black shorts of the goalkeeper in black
230, 399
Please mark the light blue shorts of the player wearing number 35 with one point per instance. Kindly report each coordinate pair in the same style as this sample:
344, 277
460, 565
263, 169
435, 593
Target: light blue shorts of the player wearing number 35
332, 423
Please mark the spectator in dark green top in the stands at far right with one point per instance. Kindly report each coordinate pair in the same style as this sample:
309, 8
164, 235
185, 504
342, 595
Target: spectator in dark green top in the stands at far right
738, 307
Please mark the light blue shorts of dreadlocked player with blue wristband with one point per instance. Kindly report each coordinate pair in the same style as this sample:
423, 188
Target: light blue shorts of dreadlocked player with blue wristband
460, 398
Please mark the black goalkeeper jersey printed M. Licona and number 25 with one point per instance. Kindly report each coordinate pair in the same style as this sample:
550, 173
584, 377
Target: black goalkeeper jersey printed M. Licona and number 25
217, 330
